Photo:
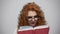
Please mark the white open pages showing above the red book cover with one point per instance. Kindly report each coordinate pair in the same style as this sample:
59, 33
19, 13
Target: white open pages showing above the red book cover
24, 28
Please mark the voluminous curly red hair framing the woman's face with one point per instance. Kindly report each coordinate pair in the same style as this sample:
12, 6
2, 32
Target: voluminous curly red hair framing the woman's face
22, 20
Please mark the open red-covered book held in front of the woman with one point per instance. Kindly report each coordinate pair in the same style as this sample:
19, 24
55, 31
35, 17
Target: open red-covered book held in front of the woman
44, 29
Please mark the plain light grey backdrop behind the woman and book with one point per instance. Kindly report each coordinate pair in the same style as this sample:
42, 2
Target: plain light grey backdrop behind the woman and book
9, 10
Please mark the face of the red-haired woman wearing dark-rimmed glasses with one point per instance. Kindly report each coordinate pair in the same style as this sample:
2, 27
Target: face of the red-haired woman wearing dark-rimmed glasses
32, 18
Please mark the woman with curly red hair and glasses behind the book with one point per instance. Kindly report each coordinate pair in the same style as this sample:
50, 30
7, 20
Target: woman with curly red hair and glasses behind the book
31, 15
